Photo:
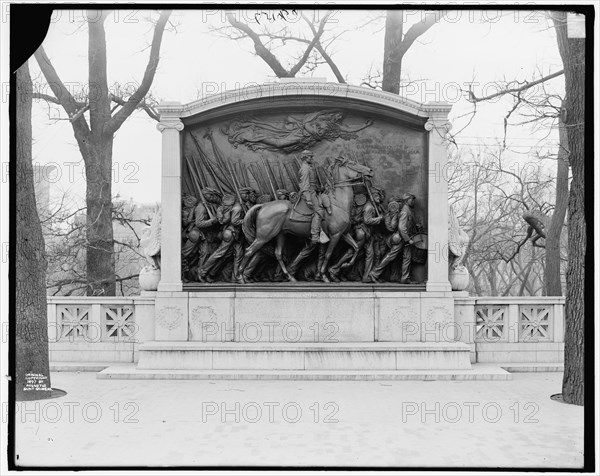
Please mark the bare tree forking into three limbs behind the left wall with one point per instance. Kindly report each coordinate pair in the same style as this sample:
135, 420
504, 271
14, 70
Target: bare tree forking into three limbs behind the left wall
95, 136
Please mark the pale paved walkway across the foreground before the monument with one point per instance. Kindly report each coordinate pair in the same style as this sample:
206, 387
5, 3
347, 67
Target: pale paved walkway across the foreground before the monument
393, 424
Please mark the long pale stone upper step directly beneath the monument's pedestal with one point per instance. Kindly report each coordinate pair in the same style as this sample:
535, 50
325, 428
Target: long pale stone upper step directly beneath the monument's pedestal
236, 356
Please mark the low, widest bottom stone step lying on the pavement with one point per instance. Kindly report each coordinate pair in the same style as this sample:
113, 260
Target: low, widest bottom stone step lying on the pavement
477, 372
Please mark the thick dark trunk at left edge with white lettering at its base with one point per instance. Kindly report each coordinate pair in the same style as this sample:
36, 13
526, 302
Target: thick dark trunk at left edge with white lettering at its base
32, 379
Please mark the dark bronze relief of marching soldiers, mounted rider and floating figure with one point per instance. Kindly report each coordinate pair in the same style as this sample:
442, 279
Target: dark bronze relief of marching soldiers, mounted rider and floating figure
300, 218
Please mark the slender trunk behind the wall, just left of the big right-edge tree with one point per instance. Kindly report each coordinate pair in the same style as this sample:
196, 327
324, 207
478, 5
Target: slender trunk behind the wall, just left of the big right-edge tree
552, 276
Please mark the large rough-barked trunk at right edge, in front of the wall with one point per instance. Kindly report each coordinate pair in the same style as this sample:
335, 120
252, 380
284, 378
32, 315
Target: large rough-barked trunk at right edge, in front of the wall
572, 51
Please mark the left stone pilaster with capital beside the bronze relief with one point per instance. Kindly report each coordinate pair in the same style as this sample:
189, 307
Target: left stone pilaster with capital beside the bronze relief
170, 125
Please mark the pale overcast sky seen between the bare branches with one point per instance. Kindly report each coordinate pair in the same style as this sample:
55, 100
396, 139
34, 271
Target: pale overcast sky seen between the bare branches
464, 46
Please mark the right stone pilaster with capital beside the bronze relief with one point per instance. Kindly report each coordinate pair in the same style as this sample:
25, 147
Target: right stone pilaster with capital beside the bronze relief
437, 220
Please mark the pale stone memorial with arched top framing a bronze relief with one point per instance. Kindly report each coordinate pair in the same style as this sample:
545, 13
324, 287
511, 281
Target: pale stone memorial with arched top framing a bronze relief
304, 228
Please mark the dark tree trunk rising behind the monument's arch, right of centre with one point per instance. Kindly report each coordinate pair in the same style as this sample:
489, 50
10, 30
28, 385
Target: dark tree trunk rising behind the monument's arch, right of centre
392, 61
